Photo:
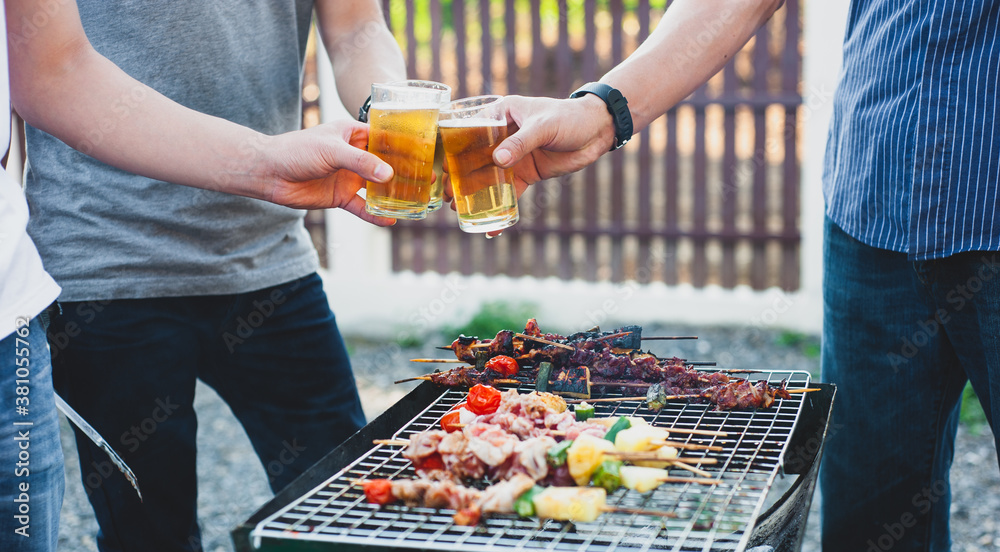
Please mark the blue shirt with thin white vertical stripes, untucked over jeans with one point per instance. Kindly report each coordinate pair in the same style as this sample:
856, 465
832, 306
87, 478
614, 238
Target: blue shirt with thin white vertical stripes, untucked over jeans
913, 157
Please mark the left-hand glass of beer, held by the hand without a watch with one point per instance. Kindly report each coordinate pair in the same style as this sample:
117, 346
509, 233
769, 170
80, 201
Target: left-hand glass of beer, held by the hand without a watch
403, 129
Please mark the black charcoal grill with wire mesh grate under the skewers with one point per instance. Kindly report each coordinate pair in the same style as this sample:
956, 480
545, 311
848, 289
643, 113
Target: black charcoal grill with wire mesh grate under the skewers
320, 511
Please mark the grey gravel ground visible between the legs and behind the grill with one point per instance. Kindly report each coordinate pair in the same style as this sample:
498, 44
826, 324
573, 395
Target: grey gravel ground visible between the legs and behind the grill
233, 484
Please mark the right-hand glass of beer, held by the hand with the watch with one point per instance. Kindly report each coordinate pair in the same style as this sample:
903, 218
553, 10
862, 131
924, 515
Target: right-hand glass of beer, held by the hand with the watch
484, 193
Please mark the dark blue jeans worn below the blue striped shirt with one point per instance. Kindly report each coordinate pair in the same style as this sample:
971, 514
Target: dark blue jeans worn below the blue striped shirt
900, 340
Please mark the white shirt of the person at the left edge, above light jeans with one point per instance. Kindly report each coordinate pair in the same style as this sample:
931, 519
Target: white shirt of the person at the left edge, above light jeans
25, 288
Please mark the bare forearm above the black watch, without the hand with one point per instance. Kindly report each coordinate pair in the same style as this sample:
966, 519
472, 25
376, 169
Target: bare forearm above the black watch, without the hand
692, 42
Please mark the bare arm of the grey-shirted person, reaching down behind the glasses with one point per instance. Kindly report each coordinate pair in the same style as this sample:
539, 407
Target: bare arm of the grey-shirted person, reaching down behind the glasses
361, 48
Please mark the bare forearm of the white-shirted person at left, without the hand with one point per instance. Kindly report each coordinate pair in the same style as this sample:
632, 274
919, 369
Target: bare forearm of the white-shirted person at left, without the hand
95, 107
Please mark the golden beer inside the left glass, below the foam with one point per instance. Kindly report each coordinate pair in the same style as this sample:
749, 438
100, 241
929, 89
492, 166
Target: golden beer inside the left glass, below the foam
403, 138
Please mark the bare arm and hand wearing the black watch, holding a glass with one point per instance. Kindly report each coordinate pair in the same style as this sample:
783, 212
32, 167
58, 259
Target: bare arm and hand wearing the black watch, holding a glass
692, 42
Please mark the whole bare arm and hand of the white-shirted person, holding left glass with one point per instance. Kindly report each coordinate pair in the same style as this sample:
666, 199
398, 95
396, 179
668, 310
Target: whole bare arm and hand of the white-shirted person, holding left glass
61, 85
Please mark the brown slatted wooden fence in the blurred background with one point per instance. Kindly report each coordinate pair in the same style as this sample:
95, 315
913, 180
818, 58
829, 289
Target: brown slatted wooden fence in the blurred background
708, 194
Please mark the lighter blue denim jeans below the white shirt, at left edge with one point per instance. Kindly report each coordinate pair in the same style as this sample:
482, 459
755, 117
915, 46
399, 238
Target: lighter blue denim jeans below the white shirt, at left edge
31, 460
